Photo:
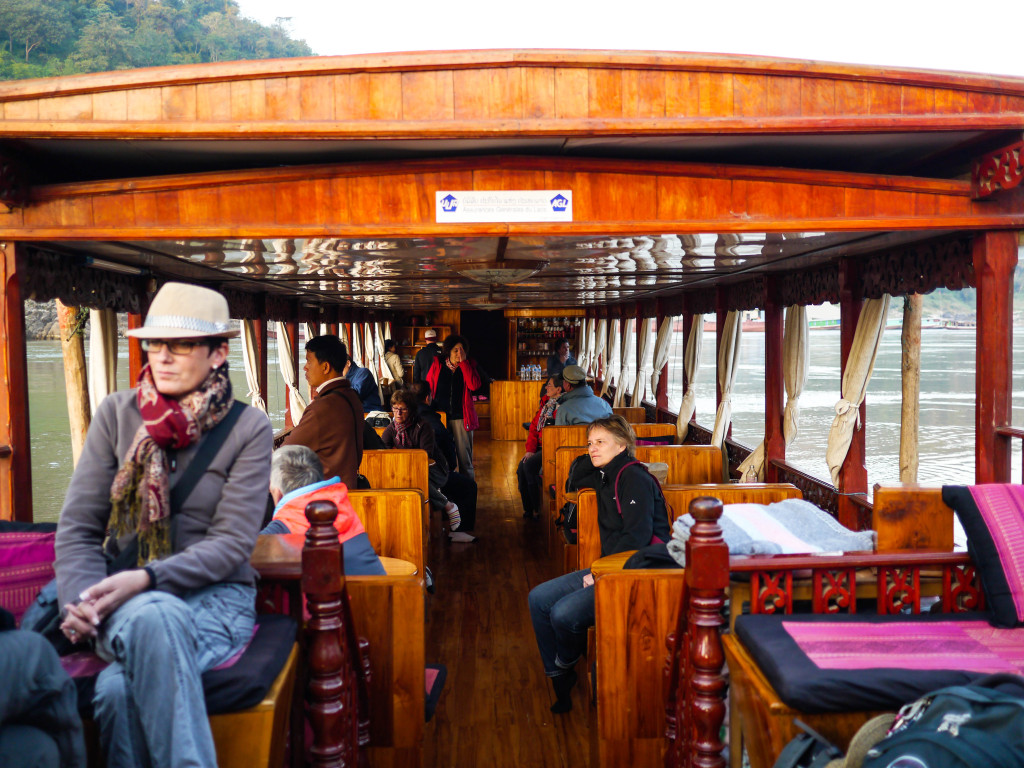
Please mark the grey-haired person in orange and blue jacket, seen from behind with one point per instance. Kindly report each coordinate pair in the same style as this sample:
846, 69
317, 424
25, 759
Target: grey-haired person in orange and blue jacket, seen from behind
296, 480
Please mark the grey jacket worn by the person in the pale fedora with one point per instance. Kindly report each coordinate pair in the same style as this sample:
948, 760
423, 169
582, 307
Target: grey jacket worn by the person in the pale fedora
212, 537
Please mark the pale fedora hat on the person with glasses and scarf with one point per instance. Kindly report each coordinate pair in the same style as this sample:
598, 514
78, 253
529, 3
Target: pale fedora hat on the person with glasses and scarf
183, 312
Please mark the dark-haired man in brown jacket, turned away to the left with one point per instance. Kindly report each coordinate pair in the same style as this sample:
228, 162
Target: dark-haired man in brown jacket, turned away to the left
332, 424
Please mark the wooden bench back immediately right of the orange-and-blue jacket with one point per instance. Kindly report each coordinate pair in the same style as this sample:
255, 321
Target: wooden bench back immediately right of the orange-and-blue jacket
394, 520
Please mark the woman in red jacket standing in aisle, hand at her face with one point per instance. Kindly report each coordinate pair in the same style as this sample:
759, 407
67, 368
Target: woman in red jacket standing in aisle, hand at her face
453, 377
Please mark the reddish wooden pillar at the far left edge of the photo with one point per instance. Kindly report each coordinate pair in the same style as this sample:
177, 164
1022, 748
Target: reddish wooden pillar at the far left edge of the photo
16, 457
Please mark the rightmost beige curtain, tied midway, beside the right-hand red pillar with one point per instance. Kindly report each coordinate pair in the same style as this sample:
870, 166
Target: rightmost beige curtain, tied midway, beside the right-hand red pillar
859, 373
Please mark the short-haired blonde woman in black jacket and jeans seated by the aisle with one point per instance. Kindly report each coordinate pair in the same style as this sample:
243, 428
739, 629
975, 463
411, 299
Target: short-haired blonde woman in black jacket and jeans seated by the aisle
631, 515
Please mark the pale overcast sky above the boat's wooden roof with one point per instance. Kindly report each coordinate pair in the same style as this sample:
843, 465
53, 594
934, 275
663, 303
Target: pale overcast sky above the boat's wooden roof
963, 35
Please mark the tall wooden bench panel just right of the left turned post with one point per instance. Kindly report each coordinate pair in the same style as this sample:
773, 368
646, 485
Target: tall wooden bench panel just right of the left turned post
389, 612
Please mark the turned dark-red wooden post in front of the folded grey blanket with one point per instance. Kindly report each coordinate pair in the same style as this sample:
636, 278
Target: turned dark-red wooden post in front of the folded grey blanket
707, 580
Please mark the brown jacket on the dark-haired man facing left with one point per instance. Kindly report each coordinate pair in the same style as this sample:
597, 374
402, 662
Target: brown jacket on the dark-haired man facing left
332, 426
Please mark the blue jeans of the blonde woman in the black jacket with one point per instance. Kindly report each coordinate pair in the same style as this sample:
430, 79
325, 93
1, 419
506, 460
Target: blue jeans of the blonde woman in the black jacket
562, 610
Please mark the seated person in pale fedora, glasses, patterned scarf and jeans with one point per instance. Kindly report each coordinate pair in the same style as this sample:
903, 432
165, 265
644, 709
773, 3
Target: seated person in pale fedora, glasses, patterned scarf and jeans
187, 601
